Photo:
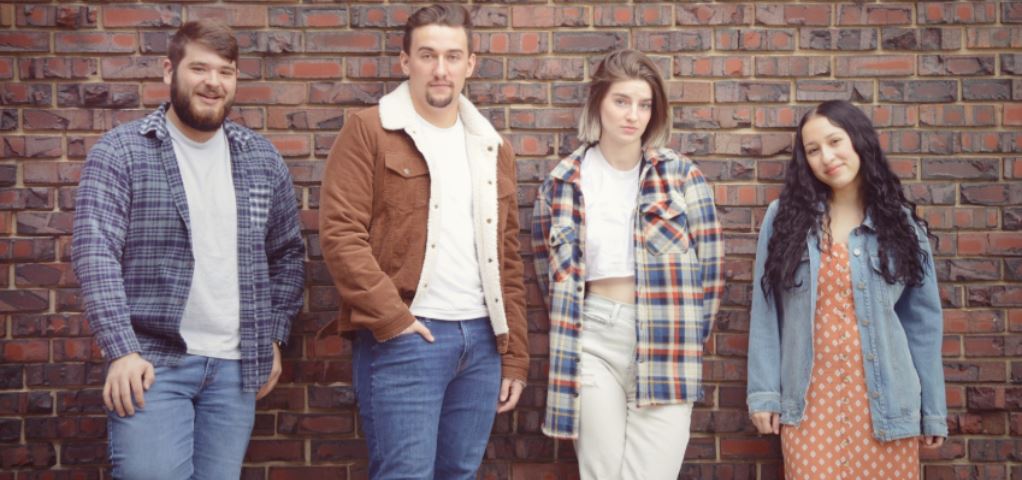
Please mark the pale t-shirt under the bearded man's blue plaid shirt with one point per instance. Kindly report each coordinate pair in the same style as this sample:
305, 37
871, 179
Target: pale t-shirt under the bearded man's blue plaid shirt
212, 323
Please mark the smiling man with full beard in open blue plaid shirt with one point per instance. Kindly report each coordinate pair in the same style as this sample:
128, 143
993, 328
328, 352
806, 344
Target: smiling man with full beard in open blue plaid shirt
191, 258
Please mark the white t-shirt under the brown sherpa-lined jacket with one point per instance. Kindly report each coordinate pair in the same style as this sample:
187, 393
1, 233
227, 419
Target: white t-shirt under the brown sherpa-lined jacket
455, 290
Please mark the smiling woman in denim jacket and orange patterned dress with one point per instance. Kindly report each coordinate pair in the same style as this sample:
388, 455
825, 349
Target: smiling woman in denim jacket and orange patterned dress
847, 326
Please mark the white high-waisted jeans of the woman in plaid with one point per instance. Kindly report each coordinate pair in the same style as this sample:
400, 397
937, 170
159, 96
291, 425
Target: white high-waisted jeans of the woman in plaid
617, 439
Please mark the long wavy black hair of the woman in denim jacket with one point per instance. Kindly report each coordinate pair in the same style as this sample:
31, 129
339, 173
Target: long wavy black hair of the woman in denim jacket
805, 207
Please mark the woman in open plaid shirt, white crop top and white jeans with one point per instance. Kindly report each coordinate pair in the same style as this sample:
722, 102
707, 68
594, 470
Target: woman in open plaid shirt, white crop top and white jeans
628, 255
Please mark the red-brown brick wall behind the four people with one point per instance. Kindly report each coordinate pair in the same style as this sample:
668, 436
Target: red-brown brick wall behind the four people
942, 80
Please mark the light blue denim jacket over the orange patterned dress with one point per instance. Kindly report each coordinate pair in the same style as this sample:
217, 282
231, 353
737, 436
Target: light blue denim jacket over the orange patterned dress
902, 330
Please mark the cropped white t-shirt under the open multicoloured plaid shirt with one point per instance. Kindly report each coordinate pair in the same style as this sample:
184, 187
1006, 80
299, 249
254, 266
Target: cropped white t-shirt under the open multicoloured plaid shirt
612, 197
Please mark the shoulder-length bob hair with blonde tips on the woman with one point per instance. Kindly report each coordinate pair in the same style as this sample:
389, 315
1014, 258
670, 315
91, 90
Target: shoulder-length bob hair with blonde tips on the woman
619, 66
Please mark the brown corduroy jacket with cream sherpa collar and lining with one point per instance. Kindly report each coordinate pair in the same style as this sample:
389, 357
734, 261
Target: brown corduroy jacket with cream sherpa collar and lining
377, 224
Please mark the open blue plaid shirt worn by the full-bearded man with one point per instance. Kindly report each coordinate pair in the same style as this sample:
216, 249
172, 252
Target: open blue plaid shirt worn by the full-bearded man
132, 250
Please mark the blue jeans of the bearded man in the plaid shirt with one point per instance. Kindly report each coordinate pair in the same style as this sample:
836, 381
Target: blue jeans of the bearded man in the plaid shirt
196, 424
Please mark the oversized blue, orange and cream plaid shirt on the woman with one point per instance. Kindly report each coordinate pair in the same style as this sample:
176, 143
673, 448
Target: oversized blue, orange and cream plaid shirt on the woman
679, 281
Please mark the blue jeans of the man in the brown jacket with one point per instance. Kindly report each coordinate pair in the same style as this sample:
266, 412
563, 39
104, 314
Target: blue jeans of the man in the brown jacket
428, 409
